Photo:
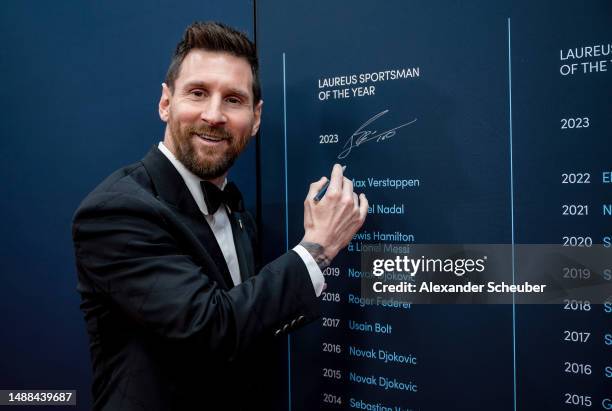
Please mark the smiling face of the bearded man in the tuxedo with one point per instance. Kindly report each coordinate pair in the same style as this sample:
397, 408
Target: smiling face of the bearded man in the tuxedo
210, 113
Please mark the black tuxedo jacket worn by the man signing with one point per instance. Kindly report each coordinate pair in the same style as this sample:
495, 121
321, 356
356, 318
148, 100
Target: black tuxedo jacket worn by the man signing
167, 329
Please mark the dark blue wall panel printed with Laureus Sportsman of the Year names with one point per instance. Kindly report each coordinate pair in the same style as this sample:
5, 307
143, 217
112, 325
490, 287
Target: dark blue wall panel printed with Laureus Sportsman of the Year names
479, 124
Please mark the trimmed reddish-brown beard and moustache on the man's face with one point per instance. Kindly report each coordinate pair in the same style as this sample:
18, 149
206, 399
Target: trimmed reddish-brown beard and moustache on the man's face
206, 162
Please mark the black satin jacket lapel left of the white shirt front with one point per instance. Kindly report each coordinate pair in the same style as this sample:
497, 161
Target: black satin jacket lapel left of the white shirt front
171, 189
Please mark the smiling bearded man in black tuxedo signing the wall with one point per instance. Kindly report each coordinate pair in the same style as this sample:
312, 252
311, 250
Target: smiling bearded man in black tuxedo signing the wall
178, 315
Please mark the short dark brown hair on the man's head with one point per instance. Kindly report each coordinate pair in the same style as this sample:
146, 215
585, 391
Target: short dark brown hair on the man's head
213, 36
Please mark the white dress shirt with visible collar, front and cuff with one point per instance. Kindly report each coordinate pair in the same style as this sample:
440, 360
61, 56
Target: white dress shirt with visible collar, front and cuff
220, 225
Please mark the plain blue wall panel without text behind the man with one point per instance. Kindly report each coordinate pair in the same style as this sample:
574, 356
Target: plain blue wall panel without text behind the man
80, 86
